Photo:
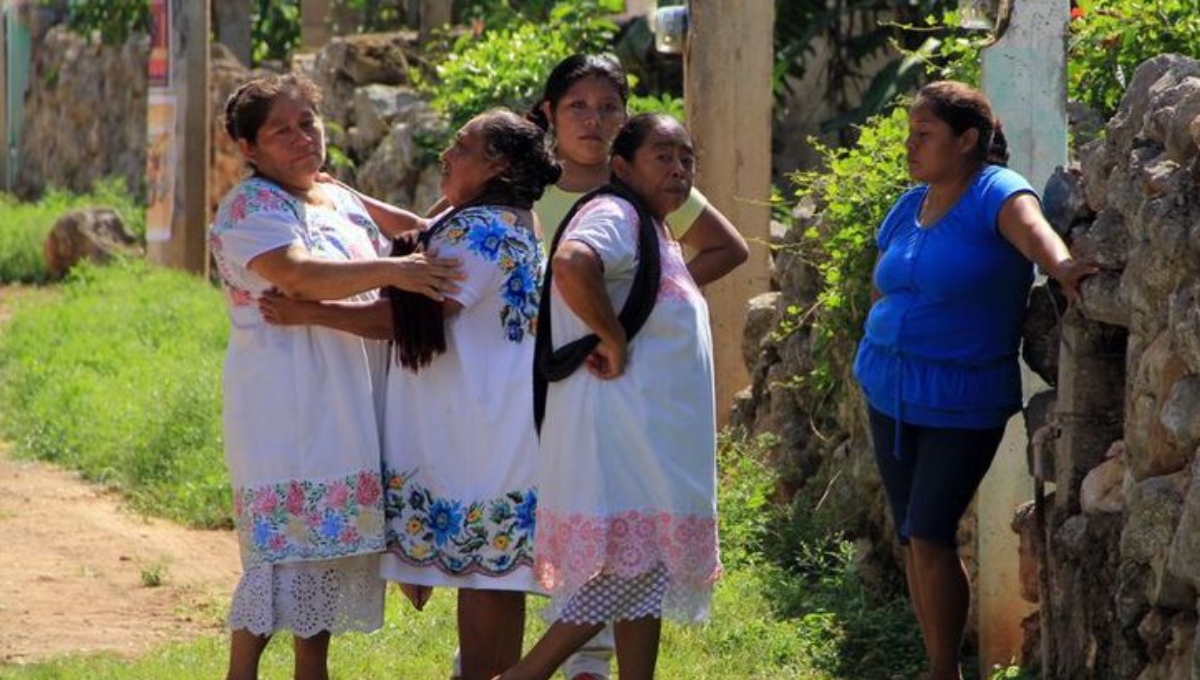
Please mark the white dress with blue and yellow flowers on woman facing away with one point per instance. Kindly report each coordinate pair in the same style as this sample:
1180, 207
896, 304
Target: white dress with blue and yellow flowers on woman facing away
461, 455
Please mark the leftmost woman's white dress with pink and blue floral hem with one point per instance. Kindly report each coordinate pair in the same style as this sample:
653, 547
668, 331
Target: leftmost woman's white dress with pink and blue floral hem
301, 426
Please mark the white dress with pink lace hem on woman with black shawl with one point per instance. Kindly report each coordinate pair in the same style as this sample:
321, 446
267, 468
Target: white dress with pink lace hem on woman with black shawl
628, 471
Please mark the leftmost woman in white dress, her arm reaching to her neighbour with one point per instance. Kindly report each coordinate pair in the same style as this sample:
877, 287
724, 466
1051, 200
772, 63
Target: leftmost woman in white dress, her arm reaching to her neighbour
301, 432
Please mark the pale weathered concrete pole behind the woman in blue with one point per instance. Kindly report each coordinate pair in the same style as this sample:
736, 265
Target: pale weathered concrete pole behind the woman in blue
1025, 79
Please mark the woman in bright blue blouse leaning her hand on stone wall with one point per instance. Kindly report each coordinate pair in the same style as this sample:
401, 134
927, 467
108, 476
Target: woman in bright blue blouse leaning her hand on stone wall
939, 362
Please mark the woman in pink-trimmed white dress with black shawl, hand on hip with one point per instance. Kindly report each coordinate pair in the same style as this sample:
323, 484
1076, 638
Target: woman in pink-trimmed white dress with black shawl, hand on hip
627, 517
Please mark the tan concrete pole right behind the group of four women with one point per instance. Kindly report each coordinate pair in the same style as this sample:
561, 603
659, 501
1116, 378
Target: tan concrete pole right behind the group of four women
728, 69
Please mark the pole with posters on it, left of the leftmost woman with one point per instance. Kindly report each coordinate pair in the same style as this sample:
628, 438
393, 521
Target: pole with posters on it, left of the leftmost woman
178, 136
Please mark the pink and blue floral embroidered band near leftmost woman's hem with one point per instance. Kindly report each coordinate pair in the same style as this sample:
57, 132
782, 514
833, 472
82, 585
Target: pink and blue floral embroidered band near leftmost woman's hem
310, 520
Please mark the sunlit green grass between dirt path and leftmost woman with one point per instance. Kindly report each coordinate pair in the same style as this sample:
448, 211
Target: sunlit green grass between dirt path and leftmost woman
119, 377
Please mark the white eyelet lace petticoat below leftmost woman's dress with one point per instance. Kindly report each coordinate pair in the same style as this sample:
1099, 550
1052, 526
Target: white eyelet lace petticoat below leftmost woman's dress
339, 597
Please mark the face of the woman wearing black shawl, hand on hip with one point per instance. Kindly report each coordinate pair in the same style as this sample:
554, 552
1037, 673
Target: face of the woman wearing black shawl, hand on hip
663, 170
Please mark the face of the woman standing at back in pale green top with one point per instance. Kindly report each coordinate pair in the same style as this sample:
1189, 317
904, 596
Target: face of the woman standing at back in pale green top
586, 121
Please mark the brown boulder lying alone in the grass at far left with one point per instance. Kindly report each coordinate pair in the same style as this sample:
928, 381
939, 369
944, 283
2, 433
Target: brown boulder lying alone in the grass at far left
95, 234
